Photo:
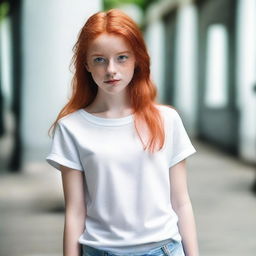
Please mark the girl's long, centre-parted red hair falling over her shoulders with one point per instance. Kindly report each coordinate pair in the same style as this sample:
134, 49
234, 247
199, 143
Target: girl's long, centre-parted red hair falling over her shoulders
141, 90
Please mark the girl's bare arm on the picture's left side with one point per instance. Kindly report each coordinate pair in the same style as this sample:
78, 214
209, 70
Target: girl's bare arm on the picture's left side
75, 210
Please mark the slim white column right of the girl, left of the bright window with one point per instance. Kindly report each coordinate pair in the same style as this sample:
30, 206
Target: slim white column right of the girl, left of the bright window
186, 63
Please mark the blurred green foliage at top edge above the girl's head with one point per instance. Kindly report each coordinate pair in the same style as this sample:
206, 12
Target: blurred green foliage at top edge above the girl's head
143, 4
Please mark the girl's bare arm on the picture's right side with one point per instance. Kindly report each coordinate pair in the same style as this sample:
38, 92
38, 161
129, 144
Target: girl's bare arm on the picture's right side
182, 206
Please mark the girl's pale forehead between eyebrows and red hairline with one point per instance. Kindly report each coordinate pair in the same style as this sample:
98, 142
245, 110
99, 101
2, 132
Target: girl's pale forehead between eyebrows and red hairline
108, 43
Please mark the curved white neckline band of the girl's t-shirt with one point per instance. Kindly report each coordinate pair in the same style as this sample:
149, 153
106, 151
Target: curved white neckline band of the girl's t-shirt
107, 121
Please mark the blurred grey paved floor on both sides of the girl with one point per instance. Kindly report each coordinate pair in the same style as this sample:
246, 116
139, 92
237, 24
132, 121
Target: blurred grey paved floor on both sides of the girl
31, 207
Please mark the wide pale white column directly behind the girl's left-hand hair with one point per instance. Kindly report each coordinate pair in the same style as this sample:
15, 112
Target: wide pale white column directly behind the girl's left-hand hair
50, 29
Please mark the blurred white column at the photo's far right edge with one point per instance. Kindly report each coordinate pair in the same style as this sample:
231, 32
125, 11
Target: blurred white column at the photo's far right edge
246, 77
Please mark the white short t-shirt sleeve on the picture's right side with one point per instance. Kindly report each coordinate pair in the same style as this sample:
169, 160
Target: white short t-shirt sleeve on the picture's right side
181, 146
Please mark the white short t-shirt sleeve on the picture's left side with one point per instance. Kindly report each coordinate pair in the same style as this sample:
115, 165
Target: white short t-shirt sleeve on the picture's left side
63, 150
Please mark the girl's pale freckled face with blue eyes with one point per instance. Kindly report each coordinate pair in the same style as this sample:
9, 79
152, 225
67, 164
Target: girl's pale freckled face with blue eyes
111, 62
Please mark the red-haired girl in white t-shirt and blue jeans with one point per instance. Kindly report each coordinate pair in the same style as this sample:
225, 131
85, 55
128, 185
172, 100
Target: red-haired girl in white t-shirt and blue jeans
121, 154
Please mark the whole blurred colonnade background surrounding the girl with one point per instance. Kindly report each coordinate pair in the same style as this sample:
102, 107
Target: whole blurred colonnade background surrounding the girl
203, 62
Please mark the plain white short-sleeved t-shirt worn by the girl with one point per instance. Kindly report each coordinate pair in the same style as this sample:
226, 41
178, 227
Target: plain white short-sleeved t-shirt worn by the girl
127, 189
